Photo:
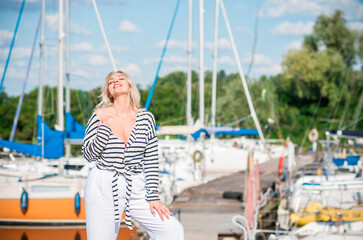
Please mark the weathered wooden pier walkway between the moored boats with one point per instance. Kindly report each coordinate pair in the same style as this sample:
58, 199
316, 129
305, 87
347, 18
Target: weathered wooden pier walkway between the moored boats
205, 214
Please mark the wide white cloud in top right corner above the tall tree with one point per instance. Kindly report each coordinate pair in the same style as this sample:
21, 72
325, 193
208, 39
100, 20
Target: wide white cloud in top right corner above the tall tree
353, 9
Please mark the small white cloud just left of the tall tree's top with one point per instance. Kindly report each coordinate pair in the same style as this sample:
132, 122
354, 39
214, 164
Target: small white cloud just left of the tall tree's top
288, 28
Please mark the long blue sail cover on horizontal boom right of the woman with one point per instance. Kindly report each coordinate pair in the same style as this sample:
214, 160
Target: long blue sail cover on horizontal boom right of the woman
224, 130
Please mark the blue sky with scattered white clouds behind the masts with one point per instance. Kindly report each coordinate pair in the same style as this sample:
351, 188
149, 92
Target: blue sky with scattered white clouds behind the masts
137, 29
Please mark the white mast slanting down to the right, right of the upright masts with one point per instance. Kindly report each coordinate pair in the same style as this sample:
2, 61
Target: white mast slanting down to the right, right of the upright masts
244, 83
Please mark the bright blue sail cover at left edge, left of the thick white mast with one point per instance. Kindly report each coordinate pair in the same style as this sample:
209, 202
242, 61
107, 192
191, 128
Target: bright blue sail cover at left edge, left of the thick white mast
53, 143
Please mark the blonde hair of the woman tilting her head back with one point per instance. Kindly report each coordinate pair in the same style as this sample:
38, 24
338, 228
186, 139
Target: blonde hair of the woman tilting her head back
106, 98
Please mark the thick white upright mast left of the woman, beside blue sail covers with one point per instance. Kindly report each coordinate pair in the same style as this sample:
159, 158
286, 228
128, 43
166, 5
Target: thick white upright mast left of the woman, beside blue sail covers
60, 114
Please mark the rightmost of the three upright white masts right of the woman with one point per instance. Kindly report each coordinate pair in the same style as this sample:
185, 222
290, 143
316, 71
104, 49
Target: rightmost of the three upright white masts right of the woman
214, 79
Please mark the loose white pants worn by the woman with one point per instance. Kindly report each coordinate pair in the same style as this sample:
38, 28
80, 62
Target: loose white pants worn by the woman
100, 213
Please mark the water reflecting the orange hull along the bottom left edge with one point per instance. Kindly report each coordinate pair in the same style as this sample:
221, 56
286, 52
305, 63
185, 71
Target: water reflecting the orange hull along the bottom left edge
56, 233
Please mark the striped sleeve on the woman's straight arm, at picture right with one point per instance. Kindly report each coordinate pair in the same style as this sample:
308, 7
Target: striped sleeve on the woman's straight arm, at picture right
151, 162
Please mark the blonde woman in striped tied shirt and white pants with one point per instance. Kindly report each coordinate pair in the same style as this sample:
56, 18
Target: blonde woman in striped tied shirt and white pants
121, 138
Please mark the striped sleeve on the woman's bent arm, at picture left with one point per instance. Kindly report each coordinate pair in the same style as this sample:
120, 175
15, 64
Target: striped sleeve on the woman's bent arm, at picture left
95, 139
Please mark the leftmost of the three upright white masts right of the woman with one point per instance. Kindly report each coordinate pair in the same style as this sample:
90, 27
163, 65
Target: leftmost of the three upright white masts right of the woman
189, 77
